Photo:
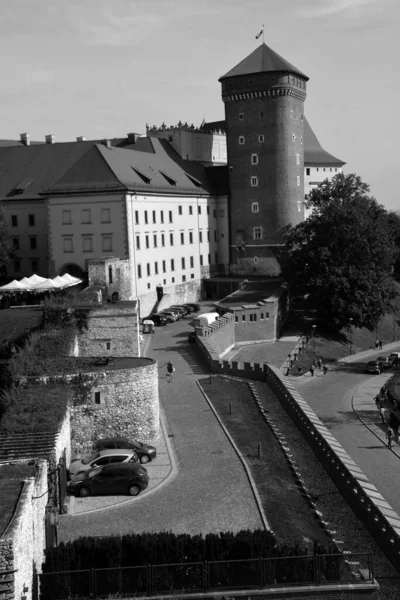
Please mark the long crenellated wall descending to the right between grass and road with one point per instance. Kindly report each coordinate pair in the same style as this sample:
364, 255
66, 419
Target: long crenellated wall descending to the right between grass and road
379, 518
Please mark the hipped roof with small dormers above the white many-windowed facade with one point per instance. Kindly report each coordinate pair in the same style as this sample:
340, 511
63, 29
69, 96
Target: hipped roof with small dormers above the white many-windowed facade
162, 171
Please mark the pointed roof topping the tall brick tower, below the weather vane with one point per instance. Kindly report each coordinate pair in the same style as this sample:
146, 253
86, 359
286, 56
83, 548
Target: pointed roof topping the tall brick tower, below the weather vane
262, 60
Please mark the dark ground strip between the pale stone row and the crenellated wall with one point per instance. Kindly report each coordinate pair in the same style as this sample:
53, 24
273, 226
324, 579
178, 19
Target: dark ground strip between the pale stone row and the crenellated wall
329, 501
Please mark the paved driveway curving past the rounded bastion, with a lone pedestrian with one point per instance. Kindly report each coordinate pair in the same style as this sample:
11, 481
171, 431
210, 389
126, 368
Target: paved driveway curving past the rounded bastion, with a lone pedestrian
210, 490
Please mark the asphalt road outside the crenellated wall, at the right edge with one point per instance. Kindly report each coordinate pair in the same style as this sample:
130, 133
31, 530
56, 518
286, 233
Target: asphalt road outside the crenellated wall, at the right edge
330, 397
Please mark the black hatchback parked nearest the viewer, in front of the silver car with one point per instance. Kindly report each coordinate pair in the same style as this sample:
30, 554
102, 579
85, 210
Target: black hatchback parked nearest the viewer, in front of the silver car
123, 478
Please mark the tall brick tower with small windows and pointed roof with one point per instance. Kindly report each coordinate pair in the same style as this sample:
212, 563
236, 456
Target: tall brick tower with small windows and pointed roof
264, 109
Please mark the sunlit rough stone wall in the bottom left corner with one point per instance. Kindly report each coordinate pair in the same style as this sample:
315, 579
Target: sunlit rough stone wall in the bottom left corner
22, 546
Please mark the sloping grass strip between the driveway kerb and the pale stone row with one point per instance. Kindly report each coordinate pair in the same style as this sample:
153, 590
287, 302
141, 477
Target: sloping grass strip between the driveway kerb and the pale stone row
287, 512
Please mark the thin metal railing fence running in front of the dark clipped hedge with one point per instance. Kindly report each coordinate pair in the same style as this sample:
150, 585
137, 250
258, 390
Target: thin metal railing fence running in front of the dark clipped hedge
199, 577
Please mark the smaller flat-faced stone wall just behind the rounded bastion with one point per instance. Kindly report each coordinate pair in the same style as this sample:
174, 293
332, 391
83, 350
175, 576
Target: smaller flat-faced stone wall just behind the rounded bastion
113, 330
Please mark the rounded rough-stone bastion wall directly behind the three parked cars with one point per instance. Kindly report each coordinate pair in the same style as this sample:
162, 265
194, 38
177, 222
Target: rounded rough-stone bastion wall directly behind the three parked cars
129, 406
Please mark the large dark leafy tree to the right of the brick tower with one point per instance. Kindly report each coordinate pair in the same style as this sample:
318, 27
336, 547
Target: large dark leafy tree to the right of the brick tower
344, 253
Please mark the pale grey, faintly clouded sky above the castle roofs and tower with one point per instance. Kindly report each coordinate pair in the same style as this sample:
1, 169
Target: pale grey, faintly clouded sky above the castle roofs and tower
103, 68
